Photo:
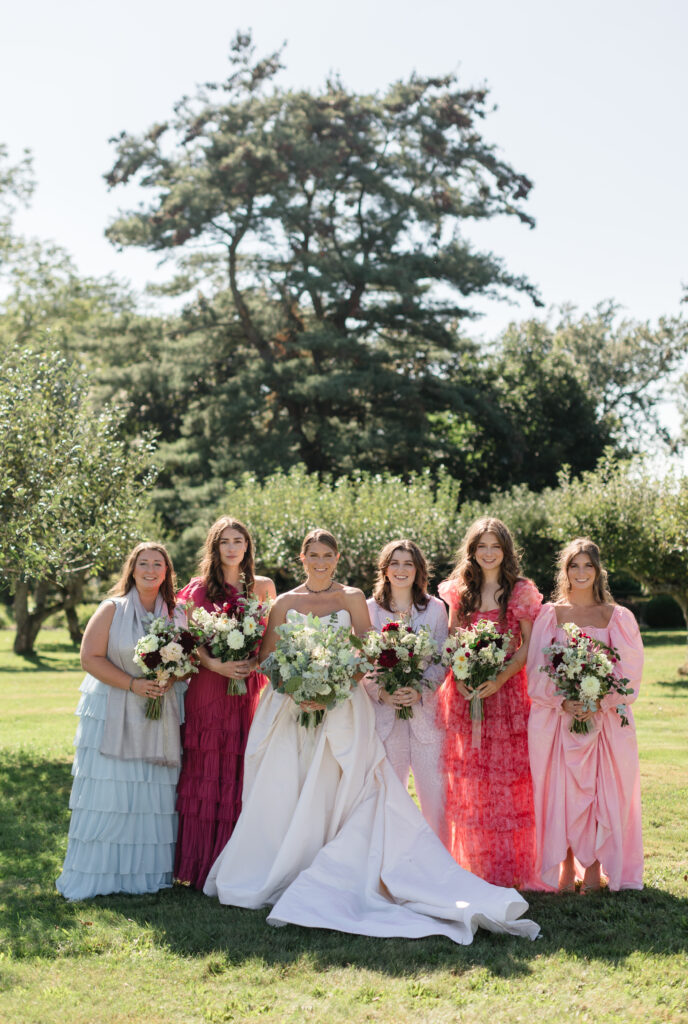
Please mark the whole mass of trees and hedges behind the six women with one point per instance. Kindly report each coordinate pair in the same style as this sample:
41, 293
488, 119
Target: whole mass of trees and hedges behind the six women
316, 368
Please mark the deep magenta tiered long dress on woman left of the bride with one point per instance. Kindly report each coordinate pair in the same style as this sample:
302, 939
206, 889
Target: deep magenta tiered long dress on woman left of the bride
213, 739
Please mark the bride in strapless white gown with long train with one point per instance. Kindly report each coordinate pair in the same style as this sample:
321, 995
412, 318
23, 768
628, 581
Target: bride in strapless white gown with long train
328, 835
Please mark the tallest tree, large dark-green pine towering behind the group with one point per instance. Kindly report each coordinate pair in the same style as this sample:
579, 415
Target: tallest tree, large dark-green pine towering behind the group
319, 236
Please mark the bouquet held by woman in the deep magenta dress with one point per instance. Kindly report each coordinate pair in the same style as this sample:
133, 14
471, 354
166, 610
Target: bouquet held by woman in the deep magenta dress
234, 632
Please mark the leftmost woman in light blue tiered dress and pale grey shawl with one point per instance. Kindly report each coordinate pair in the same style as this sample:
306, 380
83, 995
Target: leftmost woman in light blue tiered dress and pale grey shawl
126, 766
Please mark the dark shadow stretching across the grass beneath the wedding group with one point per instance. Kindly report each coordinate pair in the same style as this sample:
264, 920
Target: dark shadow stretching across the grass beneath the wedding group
37, 922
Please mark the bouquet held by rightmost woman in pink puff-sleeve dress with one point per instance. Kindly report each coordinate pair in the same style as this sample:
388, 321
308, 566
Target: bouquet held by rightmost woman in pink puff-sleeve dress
583, 670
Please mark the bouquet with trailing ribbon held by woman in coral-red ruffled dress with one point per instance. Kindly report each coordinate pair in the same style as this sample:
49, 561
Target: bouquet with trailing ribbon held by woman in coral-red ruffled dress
477, 655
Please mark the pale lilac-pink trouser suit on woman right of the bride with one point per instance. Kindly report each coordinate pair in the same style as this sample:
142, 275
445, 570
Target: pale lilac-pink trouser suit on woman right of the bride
415, 744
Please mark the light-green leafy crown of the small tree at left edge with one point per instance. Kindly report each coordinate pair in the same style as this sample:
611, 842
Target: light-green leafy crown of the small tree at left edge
71, 490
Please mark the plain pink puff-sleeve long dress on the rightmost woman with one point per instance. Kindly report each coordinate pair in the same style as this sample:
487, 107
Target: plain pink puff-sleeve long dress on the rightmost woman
587, 788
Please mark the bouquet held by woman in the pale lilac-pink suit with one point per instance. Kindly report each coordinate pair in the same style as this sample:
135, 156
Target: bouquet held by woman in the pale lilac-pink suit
401, 658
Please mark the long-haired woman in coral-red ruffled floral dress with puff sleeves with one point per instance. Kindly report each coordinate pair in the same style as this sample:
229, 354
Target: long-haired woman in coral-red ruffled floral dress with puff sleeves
490, 824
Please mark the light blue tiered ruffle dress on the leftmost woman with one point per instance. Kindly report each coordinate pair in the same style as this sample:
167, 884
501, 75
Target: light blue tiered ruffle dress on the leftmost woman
124, 826
